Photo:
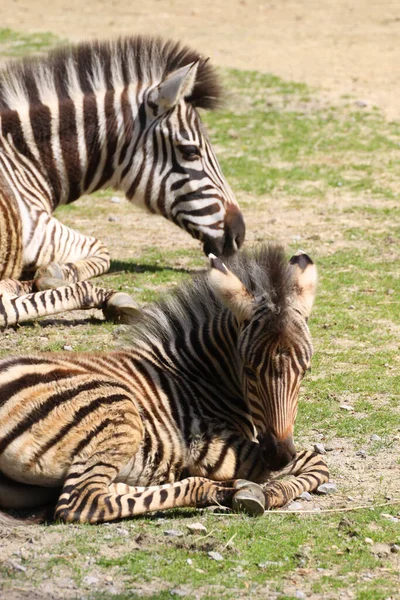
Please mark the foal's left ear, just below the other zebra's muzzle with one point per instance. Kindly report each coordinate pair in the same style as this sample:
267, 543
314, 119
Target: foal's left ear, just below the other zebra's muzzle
230, 290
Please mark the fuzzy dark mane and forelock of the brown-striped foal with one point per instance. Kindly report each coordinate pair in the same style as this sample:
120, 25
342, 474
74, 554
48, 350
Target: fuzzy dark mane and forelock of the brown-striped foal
264, 271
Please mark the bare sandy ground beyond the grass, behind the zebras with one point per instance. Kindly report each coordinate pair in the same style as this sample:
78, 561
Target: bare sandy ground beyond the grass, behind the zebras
343, 47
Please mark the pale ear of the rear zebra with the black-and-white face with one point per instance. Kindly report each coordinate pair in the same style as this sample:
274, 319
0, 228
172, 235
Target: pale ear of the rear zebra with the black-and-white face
176, 86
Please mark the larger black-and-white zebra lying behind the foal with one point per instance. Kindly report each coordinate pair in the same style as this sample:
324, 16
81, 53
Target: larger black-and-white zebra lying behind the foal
120, 114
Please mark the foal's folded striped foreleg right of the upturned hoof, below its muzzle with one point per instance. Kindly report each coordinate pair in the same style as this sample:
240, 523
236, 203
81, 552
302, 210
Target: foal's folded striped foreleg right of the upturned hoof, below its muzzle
306, 473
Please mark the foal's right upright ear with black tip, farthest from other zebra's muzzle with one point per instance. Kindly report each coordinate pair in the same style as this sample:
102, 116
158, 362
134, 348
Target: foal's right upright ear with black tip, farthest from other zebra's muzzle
305, 280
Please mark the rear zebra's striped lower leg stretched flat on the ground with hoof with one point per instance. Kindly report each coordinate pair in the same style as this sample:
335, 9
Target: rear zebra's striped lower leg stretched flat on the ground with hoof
82, 295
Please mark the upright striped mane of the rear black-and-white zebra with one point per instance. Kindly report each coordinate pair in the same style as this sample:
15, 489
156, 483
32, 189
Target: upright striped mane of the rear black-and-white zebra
93, 66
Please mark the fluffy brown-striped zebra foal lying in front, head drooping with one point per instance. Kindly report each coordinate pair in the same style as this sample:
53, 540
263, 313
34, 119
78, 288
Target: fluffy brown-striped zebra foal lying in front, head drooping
198, 408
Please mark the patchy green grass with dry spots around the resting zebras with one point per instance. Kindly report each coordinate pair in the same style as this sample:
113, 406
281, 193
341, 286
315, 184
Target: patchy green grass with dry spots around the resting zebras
307, 173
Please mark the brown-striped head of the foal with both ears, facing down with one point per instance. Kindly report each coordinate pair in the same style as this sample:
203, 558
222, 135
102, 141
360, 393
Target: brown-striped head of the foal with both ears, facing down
274, 348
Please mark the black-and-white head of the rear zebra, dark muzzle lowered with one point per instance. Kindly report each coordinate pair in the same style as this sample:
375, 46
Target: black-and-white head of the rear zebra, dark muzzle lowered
181, 178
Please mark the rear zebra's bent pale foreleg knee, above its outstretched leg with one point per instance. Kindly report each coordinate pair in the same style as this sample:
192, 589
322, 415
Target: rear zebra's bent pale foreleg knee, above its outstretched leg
68, 255
